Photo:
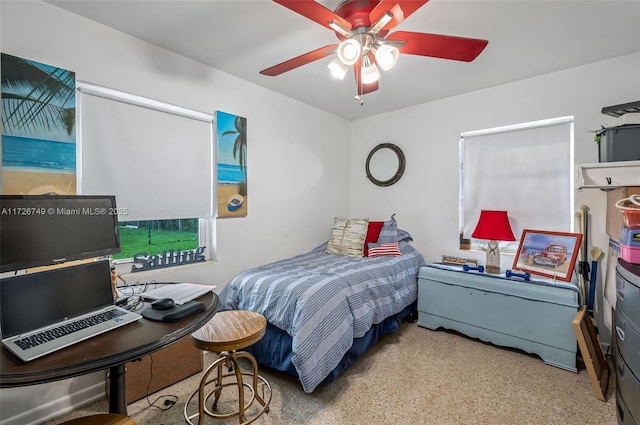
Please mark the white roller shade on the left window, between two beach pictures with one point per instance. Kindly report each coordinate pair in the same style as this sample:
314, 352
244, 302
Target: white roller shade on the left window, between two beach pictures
155, 157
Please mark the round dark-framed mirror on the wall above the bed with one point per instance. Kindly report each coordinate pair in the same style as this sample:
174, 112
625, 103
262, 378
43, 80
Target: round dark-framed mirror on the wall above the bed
385, 164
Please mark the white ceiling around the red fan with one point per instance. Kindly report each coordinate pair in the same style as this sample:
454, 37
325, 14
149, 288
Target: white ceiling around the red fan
242, 37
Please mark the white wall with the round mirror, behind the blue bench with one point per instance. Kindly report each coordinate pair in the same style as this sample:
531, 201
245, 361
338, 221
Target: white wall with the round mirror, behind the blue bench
426, 198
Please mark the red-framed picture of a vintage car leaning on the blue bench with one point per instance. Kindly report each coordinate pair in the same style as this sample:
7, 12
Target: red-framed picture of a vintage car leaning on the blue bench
549, 254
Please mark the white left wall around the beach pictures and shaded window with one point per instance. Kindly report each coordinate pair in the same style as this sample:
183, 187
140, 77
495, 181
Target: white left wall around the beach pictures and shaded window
297, 155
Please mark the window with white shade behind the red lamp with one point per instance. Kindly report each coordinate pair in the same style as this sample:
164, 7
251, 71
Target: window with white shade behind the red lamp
525, 169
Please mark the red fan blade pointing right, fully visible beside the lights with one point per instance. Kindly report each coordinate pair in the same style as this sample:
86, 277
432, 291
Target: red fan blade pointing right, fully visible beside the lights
439, 46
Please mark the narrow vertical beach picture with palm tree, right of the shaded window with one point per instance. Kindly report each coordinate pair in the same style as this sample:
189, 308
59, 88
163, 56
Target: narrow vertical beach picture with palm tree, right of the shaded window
231, 135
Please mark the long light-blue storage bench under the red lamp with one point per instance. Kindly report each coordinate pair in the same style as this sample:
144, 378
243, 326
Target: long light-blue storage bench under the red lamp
534, 316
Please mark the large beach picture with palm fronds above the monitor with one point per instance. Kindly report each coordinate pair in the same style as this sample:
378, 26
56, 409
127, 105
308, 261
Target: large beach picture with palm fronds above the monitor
38, 128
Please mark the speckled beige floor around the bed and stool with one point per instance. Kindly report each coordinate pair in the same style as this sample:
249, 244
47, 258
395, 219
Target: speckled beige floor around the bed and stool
415, 376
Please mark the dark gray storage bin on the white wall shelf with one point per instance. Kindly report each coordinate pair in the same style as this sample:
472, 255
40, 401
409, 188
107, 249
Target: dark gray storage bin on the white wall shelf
620, 144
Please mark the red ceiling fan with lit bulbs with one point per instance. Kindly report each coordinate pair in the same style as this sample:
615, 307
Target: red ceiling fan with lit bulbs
363, 27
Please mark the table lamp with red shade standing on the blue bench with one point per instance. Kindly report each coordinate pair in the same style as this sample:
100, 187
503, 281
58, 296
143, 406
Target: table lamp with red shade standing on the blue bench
493, 226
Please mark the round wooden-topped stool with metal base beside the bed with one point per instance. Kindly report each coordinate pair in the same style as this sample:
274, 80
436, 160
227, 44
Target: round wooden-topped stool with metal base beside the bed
227, 332
